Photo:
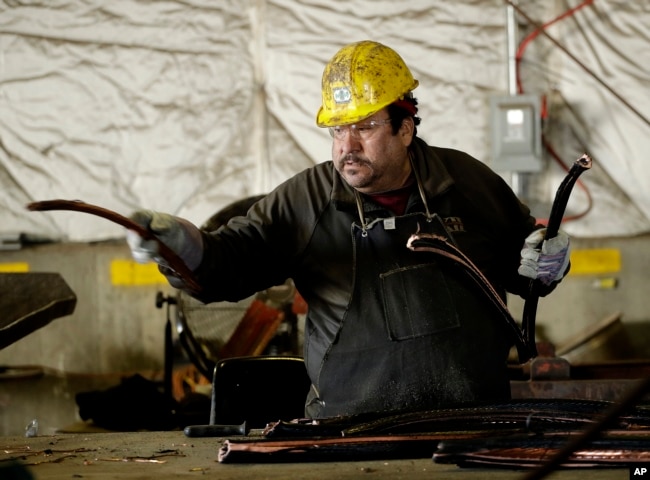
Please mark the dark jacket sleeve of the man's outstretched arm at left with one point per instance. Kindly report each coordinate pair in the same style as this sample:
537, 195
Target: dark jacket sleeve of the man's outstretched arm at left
254, 252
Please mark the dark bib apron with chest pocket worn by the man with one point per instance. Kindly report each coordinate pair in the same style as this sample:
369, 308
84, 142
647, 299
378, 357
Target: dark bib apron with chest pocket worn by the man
417, 334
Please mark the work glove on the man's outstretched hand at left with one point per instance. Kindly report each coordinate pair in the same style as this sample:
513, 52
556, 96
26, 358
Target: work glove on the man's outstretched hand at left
180, 235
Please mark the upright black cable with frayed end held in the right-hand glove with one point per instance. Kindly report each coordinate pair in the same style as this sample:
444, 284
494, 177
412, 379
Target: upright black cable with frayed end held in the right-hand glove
581, 165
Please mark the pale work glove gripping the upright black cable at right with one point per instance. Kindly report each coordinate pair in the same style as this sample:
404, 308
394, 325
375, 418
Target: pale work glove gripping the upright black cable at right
548, 264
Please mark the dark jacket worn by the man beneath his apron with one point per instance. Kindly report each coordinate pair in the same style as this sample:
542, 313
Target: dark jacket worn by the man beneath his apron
302, 230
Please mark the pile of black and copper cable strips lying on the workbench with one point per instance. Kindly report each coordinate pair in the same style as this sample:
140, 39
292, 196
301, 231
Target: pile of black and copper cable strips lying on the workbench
522, 432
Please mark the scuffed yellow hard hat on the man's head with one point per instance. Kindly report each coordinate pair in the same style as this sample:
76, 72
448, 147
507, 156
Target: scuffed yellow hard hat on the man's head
361, 79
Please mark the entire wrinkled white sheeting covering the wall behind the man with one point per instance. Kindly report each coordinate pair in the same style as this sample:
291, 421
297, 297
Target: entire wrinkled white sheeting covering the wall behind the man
185, 106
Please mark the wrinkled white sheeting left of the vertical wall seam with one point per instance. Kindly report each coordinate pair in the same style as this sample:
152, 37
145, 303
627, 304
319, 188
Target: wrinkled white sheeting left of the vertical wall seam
126, 105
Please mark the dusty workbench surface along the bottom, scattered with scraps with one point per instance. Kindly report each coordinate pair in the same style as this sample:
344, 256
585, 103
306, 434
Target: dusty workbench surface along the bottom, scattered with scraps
166, 455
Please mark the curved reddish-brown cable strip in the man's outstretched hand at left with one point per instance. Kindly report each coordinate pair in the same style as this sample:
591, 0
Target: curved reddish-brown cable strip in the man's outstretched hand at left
174, 262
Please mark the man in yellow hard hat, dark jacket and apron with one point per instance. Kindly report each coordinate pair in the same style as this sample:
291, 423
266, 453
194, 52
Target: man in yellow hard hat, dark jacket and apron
388, 328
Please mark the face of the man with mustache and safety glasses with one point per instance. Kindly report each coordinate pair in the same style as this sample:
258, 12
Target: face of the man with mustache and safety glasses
369, 157
